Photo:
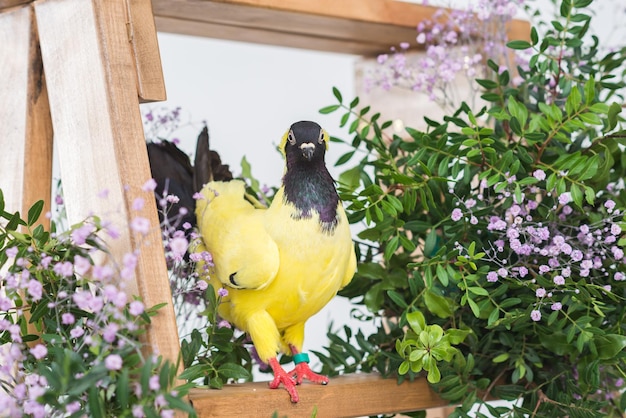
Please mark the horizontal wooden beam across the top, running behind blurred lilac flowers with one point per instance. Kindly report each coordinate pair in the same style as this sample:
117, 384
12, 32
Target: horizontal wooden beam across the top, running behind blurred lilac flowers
362, 27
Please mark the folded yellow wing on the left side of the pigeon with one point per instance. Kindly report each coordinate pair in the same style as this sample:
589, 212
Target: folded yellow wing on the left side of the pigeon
245, 255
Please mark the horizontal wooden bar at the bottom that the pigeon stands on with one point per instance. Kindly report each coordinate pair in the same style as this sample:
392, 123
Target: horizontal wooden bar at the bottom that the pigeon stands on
345, 396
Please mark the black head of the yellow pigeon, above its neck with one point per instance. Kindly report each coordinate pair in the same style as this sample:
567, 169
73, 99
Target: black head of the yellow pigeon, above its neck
305, 141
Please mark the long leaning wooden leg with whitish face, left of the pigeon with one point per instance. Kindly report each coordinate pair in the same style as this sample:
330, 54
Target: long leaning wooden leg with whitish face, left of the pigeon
99, 135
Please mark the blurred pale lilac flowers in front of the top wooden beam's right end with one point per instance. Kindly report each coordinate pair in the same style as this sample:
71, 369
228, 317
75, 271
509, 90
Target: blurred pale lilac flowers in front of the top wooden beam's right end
456, 43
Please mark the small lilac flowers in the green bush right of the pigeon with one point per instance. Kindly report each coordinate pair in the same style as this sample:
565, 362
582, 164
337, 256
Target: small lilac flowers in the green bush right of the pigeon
537, 238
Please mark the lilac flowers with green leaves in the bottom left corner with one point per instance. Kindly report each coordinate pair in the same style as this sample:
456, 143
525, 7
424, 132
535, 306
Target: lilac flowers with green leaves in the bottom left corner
69, 329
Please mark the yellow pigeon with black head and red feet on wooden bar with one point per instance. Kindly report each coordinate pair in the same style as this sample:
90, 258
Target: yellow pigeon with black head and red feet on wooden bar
284, 263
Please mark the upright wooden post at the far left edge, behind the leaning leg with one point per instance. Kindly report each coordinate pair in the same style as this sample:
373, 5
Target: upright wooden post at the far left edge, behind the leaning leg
26, 158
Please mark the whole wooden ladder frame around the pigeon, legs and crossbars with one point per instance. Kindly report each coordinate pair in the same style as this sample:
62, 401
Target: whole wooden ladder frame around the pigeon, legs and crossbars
75, 71
